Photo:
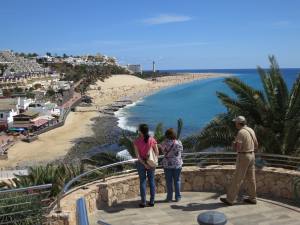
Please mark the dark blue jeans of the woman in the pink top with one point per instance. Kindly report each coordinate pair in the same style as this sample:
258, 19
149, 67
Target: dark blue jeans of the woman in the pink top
143, 173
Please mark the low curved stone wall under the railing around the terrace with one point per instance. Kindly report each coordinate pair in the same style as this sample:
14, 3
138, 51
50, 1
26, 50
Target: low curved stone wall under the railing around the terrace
274, 182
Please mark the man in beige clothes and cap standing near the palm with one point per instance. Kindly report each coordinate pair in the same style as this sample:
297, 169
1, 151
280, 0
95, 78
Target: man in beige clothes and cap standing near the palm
245, 144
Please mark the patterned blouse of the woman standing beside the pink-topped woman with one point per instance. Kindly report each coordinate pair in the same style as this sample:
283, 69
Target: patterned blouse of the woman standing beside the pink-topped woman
172, 150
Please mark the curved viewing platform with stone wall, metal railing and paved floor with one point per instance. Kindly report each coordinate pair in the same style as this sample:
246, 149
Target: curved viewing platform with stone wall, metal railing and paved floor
114, 198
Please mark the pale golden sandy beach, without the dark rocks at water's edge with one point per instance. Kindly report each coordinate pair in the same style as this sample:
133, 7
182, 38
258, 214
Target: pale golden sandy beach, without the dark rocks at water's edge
55, 144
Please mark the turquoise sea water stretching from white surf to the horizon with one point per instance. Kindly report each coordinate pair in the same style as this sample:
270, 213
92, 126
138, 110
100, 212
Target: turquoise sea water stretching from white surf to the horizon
196, 103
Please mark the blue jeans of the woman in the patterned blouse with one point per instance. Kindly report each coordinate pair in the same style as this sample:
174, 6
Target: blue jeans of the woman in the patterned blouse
173, 176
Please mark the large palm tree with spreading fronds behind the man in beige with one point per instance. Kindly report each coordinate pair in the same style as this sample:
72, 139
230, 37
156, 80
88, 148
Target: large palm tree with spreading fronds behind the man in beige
273, 112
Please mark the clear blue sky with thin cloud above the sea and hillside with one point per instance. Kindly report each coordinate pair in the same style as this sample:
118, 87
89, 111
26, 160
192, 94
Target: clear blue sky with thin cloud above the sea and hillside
176, 34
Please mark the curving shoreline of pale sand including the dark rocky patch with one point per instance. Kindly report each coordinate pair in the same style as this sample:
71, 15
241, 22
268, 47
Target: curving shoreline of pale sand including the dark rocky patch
82, 127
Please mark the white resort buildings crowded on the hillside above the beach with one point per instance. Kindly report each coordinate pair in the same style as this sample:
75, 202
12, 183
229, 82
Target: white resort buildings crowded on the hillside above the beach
35, 98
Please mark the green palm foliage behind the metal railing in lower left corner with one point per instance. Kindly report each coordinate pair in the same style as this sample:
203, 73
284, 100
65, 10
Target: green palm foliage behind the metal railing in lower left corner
57, 175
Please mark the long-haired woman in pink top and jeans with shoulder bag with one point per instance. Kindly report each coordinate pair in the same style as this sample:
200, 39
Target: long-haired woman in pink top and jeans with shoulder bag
142, 145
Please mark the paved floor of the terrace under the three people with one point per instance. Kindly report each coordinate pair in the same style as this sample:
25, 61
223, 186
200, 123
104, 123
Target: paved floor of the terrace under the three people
192, 204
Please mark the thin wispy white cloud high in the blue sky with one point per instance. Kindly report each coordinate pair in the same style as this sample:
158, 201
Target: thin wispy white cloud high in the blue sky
166, 18
